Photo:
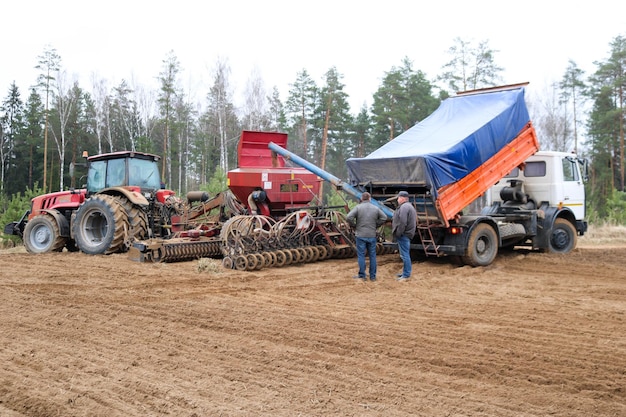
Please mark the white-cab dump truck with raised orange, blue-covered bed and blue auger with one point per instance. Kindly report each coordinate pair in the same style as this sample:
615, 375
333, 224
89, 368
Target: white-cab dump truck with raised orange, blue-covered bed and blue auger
476, 143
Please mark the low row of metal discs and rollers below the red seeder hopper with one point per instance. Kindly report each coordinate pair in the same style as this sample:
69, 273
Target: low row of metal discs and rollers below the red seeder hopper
248, 243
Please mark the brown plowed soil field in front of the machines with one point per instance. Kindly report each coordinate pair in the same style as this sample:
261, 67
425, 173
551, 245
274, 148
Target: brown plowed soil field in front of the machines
533, 334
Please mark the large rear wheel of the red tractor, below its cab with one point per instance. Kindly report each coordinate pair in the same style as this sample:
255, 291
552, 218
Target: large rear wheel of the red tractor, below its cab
101, 226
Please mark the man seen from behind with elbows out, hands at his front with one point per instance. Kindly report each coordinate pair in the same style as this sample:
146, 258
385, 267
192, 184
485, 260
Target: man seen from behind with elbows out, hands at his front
366, 218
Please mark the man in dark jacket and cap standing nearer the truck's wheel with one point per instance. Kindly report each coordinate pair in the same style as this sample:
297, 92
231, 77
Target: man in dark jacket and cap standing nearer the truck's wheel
403, 227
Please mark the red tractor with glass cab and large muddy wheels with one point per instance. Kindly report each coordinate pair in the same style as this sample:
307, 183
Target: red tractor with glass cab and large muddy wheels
123, 201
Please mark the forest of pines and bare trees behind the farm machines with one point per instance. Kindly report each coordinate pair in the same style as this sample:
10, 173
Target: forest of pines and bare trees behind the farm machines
44, 131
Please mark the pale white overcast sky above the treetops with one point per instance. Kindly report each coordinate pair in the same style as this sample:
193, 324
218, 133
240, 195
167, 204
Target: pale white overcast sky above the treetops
363, 39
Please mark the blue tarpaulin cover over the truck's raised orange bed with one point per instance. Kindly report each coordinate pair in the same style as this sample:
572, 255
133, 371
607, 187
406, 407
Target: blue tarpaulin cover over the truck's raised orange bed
463, 133
